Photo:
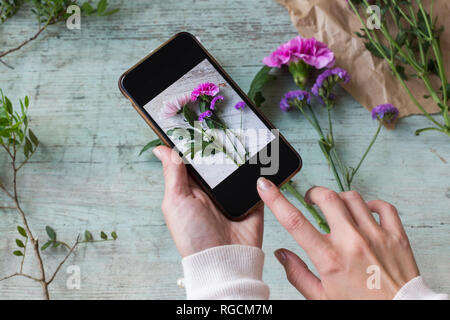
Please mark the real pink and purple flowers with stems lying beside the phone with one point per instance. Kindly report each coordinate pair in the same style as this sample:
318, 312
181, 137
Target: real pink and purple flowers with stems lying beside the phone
299, 56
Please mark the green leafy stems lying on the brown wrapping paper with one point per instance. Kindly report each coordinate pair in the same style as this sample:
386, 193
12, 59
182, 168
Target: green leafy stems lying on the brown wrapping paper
409, 40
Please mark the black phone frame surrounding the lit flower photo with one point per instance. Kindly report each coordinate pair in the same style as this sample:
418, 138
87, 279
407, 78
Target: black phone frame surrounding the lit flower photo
237, 194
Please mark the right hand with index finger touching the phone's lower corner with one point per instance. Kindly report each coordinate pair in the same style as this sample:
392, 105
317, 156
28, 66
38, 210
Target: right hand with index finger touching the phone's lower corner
359, 259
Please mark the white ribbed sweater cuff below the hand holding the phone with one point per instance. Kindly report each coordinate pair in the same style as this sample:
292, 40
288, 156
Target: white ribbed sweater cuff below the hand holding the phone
225, 272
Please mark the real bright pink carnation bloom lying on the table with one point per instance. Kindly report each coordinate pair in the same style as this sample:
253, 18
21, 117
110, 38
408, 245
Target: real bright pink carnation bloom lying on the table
311, 51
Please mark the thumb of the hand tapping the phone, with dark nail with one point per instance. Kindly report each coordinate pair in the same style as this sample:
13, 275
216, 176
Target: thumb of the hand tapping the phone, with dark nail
299, 275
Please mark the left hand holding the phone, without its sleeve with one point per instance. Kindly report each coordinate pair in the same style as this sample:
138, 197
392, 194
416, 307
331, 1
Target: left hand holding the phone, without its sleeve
193, 219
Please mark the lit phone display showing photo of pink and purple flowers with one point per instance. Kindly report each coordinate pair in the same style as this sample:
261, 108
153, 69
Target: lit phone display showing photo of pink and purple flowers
226, 133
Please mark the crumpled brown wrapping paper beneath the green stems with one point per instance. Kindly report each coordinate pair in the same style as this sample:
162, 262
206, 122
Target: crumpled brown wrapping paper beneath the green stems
372, 82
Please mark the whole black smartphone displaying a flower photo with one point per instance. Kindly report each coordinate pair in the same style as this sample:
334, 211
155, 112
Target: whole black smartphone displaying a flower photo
194, 106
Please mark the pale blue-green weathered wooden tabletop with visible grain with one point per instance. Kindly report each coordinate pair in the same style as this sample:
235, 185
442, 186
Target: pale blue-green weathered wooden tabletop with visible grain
87, 173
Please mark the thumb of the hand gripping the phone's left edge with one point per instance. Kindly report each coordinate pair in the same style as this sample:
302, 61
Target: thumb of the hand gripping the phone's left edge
175, 174
